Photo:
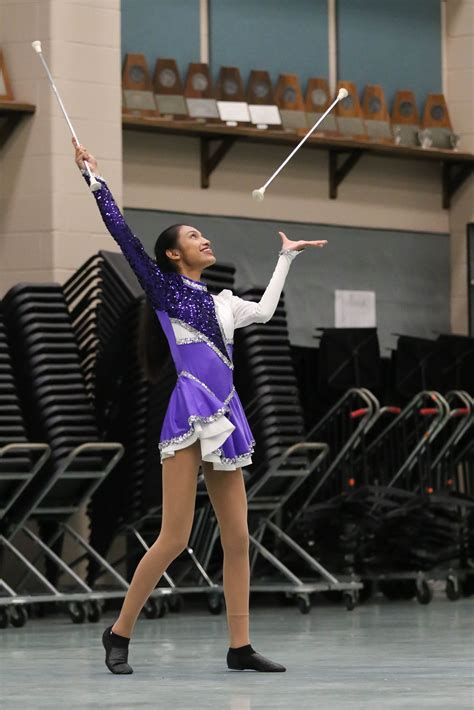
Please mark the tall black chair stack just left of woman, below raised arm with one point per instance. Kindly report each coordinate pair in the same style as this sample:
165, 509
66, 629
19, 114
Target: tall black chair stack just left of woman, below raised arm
104, 299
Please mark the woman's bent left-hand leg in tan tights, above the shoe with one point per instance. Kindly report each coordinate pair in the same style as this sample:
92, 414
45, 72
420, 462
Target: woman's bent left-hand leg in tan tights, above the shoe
179, 495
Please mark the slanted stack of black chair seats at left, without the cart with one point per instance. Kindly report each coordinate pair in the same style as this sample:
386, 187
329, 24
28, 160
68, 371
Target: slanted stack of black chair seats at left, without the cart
48, 368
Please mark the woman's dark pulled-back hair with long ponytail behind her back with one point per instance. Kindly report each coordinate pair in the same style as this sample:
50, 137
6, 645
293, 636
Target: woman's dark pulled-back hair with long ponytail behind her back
153, 348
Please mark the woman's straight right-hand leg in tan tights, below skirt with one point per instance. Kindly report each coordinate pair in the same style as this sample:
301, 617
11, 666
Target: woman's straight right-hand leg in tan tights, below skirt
228, 497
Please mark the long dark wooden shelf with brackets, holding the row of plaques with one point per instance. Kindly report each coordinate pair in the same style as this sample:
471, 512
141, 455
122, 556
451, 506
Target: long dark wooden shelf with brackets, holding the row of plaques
344, 153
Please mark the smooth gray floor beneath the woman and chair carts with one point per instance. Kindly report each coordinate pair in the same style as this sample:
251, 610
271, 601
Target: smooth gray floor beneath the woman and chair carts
381, 655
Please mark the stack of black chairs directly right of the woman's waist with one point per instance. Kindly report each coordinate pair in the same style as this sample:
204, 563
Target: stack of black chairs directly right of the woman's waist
266, 382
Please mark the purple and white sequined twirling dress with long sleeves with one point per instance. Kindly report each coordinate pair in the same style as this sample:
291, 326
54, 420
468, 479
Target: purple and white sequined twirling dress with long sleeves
199, 328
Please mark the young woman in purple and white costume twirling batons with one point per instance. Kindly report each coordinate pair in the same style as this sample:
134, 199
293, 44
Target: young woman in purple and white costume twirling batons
204, 423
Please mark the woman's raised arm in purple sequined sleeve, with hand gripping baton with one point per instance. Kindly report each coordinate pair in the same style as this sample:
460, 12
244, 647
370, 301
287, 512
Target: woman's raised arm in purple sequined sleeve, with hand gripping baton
153, 281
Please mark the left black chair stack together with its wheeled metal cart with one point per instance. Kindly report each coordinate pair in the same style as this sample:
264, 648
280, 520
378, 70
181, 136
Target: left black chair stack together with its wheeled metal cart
57, 411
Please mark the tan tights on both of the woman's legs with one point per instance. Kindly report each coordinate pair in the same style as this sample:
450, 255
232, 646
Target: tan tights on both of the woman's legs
226, 491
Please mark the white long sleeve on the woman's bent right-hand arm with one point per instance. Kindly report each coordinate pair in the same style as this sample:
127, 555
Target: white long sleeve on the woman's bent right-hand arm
247, 312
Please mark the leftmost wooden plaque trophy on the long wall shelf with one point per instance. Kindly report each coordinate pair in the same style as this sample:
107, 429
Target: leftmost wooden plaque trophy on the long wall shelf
138, 98
